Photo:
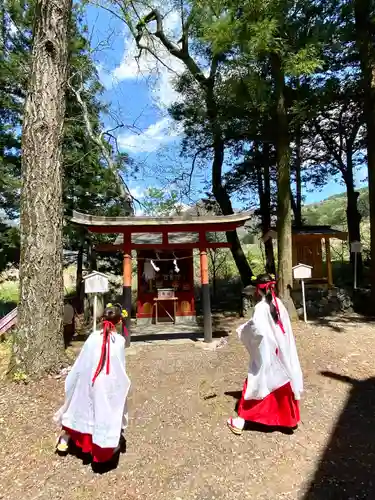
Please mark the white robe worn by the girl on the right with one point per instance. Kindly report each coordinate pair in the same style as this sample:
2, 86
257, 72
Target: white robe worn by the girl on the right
273, 354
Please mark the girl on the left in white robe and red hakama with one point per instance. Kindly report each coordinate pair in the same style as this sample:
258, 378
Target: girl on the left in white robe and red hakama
95, 412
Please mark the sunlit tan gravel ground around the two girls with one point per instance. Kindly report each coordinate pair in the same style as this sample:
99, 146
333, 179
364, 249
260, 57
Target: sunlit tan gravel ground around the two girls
178, 446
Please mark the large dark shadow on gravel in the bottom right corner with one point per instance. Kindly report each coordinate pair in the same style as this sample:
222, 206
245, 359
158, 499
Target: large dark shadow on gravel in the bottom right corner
347, 468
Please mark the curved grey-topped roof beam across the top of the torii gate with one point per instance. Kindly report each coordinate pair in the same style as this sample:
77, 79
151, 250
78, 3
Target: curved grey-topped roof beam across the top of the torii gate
178, 223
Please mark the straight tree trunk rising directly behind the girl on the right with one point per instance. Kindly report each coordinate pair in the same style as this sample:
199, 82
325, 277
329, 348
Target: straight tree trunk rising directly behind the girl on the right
284, 211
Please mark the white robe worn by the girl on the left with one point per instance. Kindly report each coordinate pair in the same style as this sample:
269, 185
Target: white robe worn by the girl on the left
99, 409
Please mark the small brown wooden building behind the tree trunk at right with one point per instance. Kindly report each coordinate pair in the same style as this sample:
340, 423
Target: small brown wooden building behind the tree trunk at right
310, 243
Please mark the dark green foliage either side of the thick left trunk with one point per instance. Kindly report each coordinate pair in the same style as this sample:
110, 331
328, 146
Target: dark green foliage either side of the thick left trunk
89, 185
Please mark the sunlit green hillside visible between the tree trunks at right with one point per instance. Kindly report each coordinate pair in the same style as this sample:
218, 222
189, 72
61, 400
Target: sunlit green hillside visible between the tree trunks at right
332, 211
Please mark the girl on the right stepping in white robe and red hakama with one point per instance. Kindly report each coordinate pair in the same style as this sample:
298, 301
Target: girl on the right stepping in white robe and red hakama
274, 383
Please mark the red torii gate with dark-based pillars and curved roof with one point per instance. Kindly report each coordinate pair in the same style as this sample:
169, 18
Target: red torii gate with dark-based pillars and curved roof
126, 226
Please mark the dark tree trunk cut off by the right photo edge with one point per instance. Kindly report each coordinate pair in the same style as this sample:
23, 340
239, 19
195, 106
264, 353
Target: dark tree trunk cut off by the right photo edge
365, 30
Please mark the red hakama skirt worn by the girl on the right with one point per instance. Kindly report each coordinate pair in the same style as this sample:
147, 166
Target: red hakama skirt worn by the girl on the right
278, 409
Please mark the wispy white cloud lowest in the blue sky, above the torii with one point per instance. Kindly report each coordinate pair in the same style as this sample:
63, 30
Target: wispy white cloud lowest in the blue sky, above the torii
153, 138
